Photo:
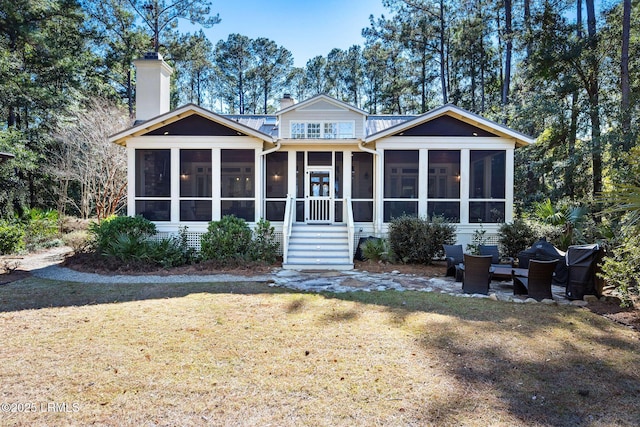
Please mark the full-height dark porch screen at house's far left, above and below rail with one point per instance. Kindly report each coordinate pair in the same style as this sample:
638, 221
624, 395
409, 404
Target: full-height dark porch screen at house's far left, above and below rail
153, 184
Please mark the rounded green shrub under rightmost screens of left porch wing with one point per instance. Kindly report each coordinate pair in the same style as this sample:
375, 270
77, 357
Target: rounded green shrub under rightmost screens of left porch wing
226, 240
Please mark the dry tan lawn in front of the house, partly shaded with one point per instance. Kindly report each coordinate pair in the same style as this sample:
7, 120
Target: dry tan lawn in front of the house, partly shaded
247, 354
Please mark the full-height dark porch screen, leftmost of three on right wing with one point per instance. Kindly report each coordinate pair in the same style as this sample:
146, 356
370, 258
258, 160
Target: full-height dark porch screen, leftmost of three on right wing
401, 169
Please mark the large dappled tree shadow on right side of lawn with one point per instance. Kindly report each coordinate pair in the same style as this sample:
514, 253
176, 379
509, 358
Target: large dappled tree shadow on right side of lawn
558, 382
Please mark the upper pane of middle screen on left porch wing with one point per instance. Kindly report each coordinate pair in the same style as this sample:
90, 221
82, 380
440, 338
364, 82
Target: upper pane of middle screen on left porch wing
195, 173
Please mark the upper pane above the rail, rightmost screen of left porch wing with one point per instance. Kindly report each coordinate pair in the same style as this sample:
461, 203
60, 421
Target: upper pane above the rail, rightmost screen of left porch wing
237, 172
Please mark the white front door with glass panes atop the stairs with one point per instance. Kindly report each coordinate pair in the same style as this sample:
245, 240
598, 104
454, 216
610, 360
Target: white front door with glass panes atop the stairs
319, 195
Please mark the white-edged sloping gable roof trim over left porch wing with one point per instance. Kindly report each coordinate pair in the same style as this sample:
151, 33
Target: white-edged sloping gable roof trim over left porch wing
184, 112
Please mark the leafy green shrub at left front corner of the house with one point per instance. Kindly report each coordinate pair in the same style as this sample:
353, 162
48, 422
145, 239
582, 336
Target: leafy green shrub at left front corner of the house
109, 230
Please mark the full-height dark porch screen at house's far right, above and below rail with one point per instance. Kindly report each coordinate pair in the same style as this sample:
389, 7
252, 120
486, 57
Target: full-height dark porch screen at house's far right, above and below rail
487, 186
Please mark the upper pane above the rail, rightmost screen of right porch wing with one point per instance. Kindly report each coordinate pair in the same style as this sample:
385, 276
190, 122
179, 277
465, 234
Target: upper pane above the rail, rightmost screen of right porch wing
488, 174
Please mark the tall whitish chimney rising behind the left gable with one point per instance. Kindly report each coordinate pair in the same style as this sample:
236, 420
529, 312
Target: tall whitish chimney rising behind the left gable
153, 89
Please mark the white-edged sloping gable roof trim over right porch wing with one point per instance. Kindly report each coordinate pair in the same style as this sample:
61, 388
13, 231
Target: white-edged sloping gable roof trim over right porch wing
458, 113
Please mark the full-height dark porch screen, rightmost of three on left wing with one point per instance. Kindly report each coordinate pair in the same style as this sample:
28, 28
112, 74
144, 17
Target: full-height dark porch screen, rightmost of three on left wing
237, 180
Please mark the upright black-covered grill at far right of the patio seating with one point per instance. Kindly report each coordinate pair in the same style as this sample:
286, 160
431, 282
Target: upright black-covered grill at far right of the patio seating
582, 262
